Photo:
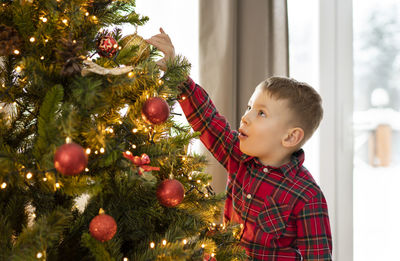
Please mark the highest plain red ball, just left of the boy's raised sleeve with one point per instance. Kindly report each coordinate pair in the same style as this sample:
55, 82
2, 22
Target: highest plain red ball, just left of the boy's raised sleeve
155, 110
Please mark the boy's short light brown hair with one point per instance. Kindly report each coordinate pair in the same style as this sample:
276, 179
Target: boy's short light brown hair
303, 101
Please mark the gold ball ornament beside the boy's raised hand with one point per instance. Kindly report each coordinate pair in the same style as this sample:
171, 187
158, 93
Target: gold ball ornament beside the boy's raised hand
143, 51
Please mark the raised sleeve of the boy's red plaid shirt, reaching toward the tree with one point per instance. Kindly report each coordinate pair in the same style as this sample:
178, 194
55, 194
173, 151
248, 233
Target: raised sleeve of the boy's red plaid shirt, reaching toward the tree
216, 133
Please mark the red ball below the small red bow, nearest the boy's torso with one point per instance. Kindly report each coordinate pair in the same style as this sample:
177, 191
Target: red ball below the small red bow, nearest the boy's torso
170, 193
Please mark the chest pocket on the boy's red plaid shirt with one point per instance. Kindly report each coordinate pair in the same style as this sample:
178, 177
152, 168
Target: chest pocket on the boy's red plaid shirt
273, 218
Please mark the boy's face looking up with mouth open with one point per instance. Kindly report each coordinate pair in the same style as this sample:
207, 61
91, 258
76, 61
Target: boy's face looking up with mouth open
264, 125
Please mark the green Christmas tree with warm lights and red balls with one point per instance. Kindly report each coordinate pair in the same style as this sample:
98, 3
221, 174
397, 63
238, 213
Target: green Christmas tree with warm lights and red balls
85, 115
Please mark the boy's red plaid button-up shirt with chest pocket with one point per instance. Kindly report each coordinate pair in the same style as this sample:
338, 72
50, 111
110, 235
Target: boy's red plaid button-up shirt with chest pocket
283, 211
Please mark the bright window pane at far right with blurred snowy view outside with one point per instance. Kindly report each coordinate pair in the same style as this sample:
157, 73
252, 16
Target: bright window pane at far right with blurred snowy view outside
376, 26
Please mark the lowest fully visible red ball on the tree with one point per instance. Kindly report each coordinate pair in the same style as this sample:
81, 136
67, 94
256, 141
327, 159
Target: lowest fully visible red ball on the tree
103, 227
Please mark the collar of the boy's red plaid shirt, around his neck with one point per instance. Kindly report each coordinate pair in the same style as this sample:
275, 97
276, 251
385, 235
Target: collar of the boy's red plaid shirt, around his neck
289, 169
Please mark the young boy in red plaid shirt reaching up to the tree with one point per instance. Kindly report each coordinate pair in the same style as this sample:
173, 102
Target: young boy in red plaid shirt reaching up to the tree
281, 209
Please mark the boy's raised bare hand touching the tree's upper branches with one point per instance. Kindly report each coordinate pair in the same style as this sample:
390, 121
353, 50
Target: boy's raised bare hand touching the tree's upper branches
163, 43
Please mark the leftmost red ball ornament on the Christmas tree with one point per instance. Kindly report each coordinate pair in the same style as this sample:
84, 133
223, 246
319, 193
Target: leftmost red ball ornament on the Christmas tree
70, 159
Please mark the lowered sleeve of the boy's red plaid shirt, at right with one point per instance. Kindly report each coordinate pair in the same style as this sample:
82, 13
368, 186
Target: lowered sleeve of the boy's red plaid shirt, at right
314, 239
